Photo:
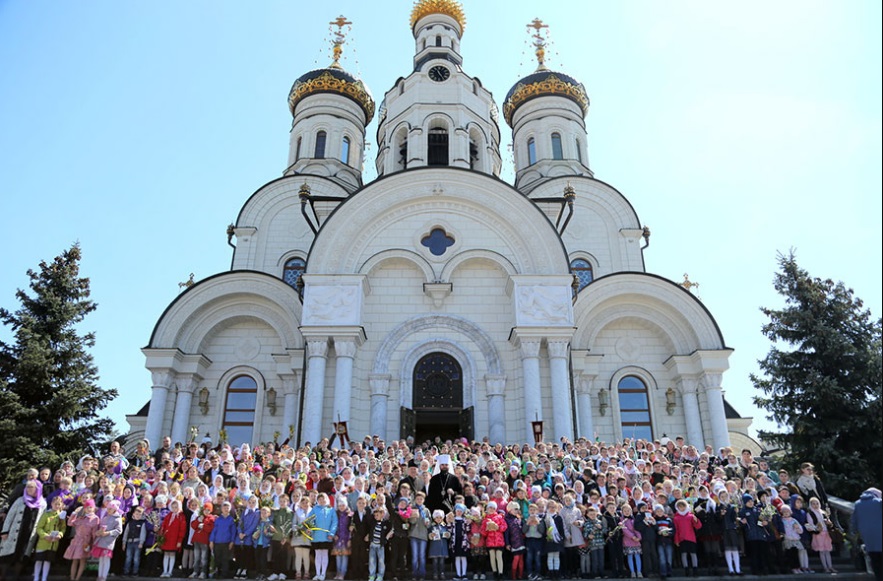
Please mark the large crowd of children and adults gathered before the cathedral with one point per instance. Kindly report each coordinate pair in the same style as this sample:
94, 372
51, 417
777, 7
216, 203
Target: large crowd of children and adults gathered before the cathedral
570, 510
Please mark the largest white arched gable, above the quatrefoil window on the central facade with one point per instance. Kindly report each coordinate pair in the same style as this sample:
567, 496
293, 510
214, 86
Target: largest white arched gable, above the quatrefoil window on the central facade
348, 237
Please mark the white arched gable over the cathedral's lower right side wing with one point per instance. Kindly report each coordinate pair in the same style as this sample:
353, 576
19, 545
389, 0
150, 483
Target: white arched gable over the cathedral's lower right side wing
676, 312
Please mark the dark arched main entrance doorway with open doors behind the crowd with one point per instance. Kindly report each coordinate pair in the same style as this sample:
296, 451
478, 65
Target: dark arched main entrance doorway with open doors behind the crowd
437, 408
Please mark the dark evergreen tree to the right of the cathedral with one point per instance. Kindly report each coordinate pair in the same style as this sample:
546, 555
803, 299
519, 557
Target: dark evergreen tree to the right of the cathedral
822, 380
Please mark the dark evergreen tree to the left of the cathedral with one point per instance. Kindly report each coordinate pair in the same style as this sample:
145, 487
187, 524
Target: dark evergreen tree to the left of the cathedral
49, 390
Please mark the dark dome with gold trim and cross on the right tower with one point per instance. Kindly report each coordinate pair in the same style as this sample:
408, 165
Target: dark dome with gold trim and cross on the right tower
543, 82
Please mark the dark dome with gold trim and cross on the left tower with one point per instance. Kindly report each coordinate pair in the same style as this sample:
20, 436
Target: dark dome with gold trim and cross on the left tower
333, 79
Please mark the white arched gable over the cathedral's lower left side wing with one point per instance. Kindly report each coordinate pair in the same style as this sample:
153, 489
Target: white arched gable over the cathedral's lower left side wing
207, 304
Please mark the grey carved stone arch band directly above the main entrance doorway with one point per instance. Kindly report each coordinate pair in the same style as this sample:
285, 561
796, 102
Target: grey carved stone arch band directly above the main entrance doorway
430, 322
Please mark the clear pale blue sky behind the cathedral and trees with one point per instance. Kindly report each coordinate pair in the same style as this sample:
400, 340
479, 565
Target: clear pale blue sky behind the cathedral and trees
737, 130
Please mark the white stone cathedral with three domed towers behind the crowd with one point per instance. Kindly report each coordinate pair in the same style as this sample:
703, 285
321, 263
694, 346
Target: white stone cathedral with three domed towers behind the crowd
437, 300
